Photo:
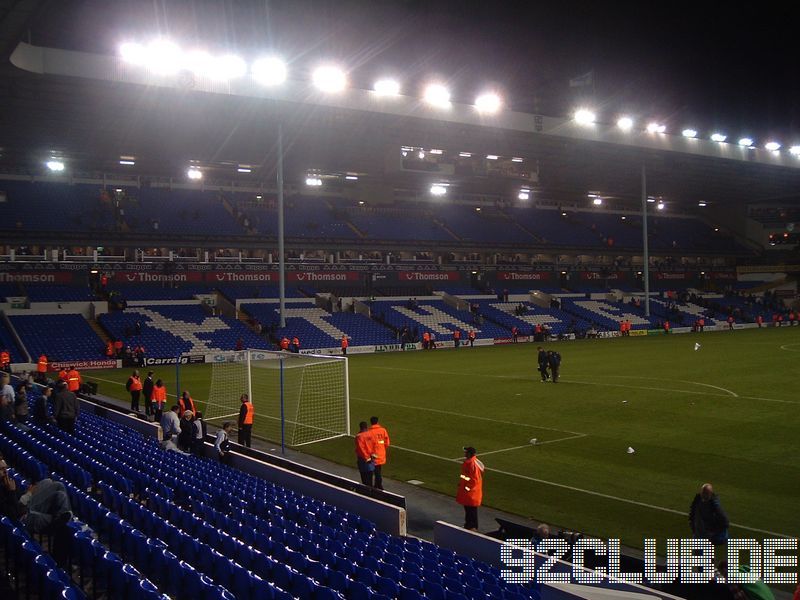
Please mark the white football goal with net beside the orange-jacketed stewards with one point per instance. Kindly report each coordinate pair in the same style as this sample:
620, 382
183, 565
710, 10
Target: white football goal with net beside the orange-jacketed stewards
298, 398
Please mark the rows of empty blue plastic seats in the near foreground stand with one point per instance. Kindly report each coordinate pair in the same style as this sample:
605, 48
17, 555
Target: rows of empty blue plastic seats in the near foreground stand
200, 529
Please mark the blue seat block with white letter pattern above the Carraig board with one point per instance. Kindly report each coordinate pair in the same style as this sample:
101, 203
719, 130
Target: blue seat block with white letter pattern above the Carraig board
185, 328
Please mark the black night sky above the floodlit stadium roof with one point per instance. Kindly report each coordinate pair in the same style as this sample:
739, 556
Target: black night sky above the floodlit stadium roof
712, 66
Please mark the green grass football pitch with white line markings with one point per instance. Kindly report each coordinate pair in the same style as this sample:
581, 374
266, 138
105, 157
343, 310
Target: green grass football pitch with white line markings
728, 413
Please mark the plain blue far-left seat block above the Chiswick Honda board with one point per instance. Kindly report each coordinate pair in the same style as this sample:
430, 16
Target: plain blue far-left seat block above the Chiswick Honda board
61, 337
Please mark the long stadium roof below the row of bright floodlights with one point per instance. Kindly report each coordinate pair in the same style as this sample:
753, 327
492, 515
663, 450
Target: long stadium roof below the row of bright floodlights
92, 109
